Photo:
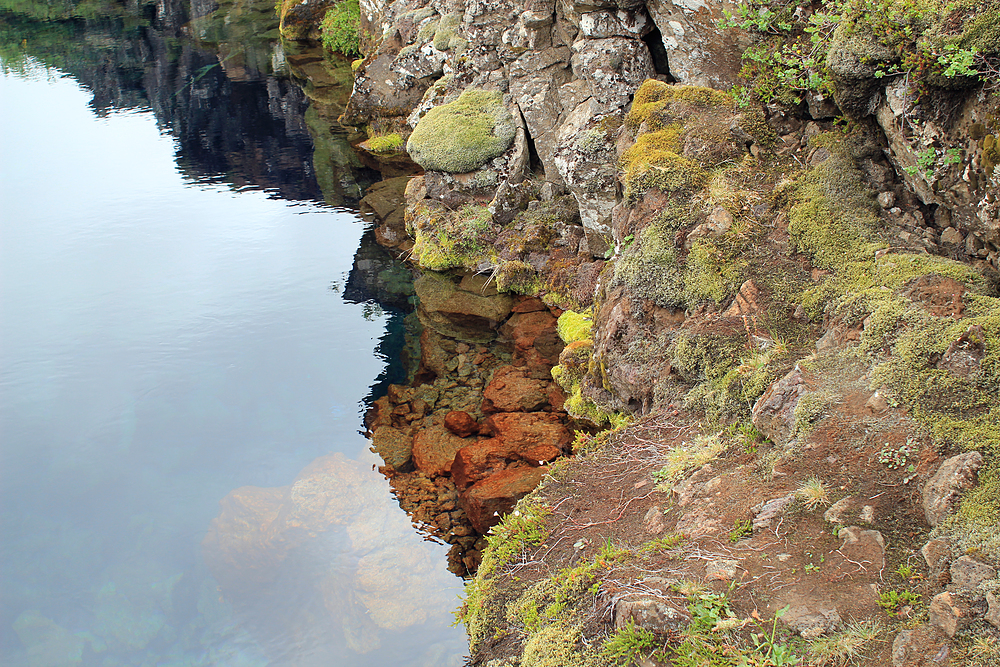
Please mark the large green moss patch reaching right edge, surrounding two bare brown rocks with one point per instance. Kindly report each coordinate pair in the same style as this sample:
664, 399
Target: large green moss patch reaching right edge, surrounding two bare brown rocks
832, 220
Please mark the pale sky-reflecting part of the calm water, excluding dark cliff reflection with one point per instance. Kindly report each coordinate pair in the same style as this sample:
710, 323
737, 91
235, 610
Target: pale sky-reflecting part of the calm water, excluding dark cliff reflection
165, 343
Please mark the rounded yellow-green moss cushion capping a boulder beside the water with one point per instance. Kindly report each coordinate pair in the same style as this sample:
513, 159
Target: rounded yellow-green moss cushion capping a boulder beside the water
463, 135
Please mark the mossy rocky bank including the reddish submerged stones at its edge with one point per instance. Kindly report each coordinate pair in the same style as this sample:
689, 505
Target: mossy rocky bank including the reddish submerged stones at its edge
769, 232
